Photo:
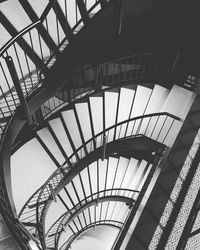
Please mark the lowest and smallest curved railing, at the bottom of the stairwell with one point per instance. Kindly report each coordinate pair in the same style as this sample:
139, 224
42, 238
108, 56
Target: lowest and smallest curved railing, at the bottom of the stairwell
91, 225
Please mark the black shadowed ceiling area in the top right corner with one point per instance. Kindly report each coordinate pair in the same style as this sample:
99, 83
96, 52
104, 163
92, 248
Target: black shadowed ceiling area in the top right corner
170, 25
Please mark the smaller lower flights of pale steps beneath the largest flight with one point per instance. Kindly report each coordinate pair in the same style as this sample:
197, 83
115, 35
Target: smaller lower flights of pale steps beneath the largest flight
110, 187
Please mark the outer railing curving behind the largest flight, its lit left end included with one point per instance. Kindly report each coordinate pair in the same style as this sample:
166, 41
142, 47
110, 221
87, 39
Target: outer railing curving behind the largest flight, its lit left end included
145, 68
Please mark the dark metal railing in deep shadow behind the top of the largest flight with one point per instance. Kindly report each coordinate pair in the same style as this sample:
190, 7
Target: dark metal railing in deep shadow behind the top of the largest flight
143, 66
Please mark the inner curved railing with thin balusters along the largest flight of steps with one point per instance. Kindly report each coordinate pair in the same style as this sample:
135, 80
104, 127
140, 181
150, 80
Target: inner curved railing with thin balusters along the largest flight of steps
156, 126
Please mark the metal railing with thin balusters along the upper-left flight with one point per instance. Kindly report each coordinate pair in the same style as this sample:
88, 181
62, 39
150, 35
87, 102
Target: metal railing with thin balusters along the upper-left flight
33, 53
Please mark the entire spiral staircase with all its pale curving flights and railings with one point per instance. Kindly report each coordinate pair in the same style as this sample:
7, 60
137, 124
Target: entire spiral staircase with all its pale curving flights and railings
102, 131
